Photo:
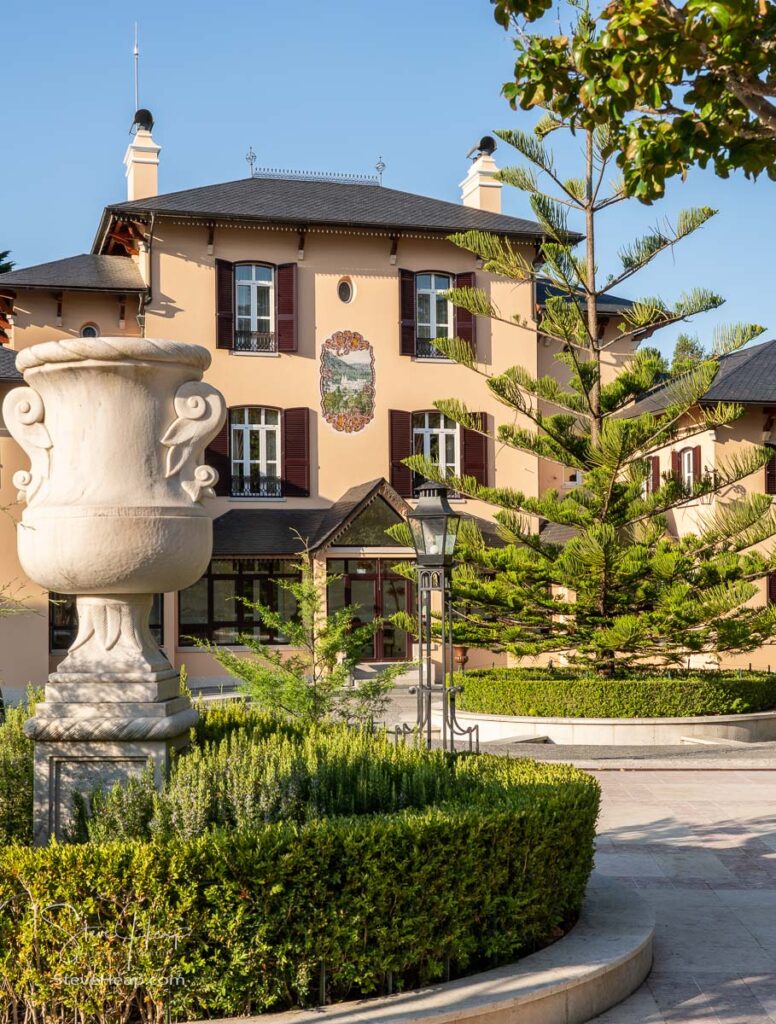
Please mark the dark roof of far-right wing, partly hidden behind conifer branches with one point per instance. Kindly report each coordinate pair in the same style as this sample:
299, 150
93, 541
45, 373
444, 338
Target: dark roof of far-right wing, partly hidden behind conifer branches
748, 376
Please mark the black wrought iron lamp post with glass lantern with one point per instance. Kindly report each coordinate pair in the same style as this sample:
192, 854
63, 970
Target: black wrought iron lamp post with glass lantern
435, 526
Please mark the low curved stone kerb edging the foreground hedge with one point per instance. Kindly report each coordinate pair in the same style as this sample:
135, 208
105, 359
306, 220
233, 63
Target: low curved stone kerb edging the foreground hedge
600, 963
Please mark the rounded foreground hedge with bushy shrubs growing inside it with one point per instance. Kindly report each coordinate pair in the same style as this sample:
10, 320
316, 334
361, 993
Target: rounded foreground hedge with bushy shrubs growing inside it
459, 863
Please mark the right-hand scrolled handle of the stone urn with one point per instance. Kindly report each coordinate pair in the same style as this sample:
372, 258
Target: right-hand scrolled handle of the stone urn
201, 412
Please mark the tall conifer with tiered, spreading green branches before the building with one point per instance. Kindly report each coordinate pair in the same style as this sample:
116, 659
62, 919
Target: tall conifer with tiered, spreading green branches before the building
609, 584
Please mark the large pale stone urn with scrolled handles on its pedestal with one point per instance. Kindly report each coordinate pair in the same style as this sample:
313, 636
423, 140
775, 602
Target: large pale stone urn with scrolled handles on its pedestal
115, 430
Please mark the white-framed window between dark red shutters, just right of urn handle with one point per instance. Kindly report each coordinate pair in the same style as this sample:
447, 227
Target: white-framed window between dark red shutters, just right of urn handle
255, 452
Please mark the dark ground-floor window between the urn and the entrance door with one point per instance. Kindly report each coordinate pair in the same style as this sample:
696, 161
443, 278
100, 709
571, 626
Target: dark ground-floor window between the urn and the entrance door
211, 610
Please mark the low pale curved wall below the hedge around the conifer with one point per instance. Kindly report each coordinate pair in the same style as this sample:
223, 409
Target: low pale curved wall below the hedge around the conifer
756, 729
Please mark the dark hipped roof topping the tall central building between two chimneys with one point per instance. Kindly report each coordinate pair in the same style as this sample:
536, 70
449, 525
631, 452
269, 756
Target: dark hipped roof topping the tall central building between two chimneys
300, 202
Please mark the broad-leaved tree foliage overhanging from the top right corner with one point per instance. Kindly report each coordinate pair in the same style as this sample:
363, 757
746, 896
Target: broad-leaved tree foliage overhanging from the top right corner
682, 83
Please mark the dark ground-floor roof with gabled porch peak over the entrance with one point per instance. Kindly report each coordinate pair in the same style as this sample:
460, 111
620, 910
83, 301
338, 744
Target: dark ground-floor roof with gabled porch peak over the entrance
249, 533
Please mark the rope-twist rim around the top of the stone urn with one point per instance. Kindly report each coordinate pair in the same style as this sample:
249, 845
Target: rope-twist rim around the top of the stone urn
113, 351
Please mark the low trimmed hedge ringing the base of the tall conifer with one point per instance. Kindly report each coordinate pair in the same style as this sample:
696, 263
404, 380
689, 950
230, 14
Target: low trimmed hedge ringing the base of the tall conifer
572, 695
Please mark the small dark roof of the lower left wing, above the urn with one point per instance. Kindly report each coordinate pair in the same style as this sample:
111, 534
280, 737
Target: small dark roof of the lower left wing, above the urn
85, 273
